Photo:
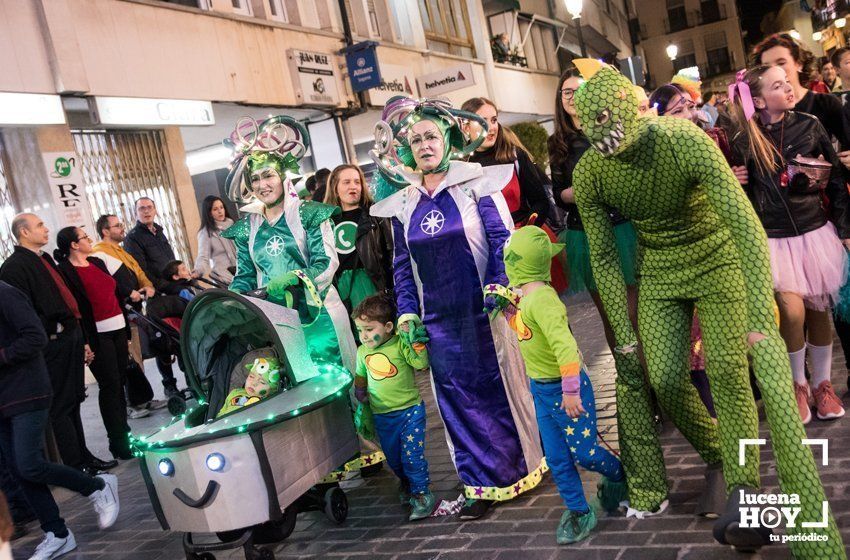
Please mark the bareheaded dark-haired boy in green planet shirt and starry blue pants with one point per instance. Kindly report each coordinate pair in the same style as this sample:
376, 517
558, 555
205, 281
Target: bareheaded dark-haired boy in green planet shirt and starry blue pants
384, 379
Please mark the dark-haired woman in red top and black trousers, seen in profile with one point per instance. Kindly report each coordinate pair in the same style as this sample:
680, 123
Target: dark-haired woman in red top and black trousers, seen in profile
101, 298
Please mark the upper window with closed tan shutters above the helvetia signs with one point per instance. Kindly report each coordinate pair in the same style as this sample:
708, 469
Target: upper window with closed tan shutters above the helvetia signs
446, 24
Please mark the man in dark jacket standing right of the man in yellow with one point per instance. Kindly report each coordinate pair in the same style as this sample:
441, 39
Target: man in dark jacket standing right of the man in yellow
147, 242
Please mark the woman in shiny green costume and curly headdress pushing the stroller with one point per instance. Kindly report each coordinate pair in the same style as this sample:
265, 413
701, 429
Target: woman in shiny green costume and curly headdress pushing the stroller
283, 243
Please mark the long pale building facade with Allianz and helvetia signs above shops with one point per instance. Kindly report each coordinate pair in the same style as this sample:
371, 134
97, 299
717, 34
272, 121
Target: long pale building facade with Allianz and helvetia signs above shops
133, 97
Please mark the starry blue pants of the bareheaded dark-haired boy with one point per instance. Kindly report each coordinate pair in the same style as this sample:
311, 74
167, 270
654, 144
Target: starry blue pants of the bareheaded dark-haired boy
402, 437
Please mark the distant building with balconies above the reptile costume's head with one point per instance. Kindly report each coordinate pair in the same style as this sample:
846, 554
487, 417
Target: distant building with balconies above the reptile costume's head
706, 34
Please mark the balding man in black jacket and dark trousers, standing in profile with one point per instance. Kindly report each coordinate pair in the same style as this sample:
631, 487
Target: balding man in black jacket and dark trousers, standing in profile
34, 273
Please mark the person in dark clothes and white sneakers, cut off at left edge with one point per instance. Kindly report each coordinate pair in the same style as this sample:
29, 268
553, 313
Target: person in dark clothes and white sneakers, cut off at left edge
24, 402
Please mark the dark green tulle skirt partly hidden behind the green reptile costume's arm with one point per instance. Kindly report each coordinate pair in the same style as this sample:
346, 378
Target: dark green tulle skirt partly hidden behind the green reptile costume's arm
578, 256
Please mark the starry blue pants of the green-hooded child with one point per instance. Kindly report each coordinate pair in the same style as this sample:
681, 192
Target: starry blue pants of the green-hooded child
568, 442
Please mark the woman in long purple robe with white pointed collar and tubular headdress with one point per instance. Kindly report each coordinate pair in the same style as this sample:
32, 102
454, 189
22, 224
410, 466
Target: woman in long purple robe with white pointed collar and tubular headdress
450, 224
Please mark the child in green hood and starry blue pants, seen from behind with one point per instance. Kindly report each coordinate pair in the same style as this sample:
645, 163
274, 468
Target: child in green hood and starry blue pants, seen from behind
563, 395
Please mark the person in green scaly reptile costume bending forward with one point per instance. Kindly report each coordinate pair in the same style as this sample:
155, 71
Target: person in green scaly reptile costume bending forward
700, 243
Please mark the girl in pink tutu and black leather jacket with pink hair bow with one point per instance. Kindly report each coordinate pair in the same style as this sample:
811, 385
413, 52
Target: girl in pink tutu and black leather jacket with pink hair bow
790, 170
